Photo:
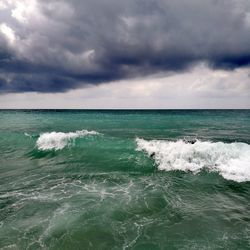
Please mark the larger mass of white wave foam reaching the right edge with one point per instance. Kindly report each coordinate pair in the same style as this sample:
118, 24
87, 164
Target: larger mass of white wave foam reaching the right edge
231, 160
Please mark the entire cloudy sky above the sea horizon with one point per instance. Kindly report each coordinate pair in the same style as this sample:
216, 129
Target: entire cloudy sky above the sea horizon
125, 54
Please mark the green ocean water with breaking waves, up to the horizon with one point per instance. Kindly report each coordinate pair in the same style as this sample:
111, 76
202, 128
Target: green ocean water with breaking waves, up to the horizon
125, 179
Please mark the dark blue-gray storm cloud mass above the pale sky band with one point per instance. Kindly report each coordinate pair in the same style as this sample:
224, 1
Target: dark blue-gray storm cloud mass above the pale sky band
55, 46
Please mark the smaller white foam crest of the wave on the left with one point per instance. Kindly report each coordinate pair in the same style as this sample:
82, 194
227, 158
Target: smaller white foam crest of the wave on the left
58, 140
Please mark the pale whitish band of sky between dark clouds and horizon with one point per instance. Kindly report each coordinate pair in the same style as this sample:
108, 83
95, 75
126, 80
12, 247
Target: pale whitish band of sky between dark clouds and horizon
200, 87
